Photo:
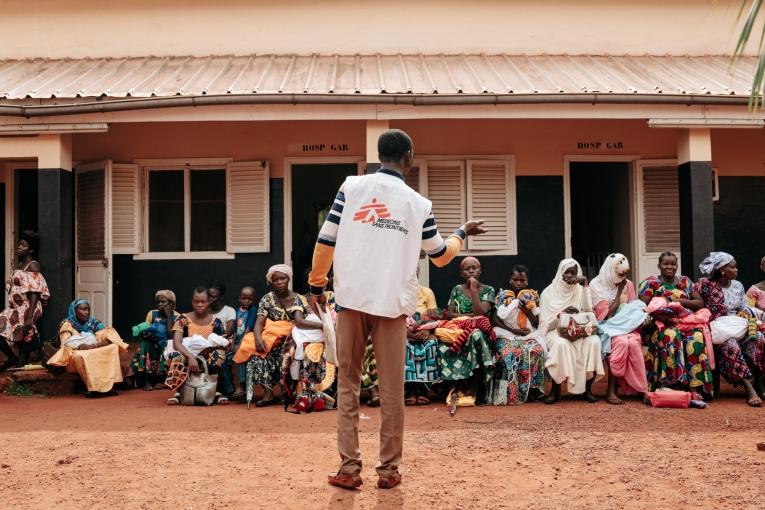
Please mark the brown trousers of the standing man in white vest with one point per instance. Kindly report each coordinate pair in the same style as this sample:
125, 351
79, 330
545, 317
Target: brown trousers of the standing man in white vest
389, 341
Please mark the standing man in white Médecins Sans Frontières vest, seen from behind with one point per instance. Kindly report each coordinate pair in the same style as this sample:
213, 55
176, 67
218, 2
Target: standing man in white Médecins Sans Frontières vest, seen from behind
374, 234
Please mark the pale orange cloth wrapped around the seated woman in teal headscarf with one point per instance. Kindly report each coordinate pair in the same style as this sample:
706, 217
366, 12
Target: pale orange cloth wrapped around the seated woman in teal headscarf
98, 368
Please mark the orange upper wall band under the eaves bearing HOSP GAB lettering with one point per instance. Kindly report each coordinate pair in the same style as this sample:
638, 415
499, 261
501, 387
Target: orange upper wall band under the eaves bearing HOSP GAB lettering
538, 145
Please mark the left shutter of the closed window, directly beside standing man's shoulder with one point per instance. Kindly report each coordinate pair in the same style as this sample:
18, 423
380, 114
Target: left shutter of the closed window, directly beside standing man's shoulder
445, 182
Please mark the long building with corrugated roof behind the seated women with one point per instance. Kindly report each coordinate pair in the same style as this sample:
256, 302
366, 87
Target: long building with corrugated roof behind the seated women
150, 159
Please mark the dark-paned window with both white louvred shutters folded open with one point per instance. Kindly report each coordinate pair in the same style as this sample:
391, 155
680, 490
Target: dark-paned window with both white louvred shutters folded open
198, 209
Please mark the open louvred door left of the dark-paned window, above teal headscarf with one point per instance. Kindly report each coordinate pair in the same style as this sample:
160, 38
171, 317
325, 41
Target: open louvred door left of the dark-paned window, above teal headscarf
93, 257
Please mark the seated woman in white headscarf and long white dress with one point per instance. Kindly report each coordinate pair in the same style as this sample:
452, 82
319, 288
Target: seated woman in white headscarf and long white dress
576, 362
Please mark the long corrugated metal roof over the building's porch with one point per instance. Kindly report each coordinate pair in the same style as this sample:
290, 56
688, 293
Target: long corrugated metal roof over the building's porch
45, 79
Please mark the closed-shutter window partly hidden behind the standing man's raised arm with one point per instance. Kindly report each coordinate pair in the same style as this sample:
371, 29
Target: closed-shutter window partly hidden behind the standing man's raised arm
481, 188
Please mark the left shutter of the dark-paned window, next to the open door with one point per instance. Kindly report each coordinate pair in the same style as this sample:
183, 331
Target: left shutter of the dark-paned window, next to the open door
126, 209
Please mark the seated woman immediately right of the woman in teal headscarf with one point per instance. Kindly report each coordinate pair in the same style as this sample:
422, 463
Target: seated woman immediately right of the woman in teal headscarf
147, 369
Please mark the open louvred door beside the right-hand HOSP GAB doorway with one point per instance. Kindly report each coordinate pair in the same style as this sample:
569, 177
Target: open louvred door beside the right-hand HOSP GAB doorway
656, 213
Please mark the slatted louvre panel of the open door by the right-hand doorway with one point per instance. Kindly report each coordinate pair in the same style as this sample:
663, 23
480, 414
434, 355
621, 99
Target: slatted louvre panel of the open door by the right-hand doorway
661, 209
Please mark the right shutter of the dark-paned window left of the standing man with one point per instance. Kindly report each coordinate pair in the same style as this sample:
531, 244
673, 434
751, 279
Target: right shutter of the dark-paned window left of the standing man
247, 217
